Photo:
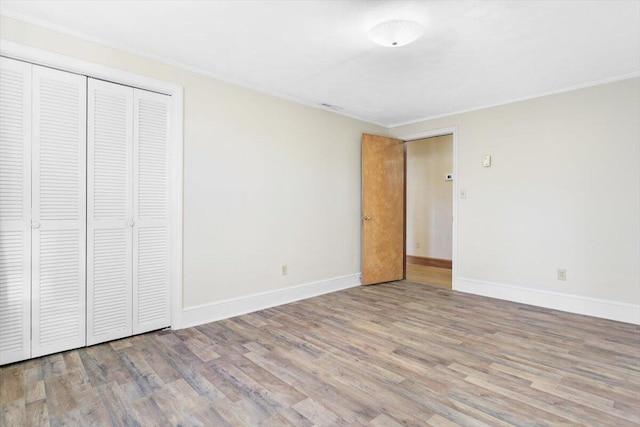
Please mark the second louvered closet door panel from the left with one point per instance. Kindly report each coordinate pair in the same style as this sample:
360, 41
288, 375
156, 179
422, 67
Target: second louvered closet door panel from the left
59, 211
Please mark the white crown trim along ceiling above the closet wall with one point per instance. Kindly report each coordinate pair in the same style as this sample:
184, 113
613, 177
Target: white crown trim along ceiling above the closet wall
181, 65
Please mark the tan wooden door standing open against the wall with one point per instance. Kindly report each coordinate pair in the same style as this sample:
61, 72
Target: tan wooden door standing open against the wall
382, 209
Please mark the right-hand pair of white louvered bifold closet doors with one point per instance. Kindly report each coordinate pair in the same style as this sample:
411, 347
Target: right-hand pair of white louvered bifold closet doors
127, 225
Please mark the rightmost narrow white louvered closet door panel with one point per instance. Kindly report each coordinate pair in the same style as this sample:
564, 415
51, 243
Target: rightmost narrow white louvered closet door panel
151, 231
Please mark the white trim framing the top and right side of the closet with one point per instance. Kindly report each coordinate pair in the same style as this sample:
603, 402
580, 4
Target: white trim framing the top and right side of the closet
66, 63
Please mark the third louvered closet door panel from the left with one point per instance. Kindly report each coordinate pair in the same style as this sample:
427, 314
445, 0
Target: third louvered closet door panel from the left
109, 211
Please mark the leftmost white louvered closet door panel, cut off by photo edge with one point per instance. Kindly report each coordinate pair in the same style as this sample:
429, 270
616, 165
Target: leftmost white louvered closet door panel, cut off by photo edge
15, 210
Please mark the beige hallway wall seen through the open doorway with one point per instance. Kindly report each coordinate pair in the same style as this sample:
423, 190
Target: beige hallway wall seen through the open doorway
429, 197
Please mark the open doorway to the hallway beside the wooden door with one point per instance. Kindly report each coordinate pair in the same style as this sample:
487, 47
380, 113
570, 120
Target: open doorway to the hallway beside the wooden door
429, 210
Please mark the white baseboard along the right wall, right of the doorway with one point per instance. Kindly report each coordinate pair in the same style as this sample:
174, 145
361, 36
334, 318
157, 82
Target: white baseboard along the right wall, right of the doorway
613, 310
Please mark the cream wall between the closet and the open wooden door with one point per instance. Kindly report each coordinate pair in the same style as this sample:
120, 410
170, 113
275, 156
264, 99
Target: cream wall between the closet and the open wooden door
266, 181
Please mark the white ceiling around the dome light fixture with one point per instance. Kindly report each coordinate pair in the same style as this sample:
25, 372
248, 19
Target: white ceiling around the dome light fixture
474, 53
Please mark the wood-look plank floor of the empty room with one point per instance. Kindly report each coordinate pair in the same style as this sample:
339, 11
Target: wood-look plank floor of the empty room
385, 355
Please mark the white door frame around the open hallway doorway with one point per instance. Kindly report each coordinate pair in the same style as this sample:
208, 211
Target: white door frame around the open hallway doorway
453, 131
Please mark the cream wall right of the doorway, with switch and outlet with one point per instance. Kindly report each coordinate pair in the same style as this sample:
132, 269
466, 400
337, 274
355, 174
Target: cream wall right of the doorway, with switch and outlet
563, 192
